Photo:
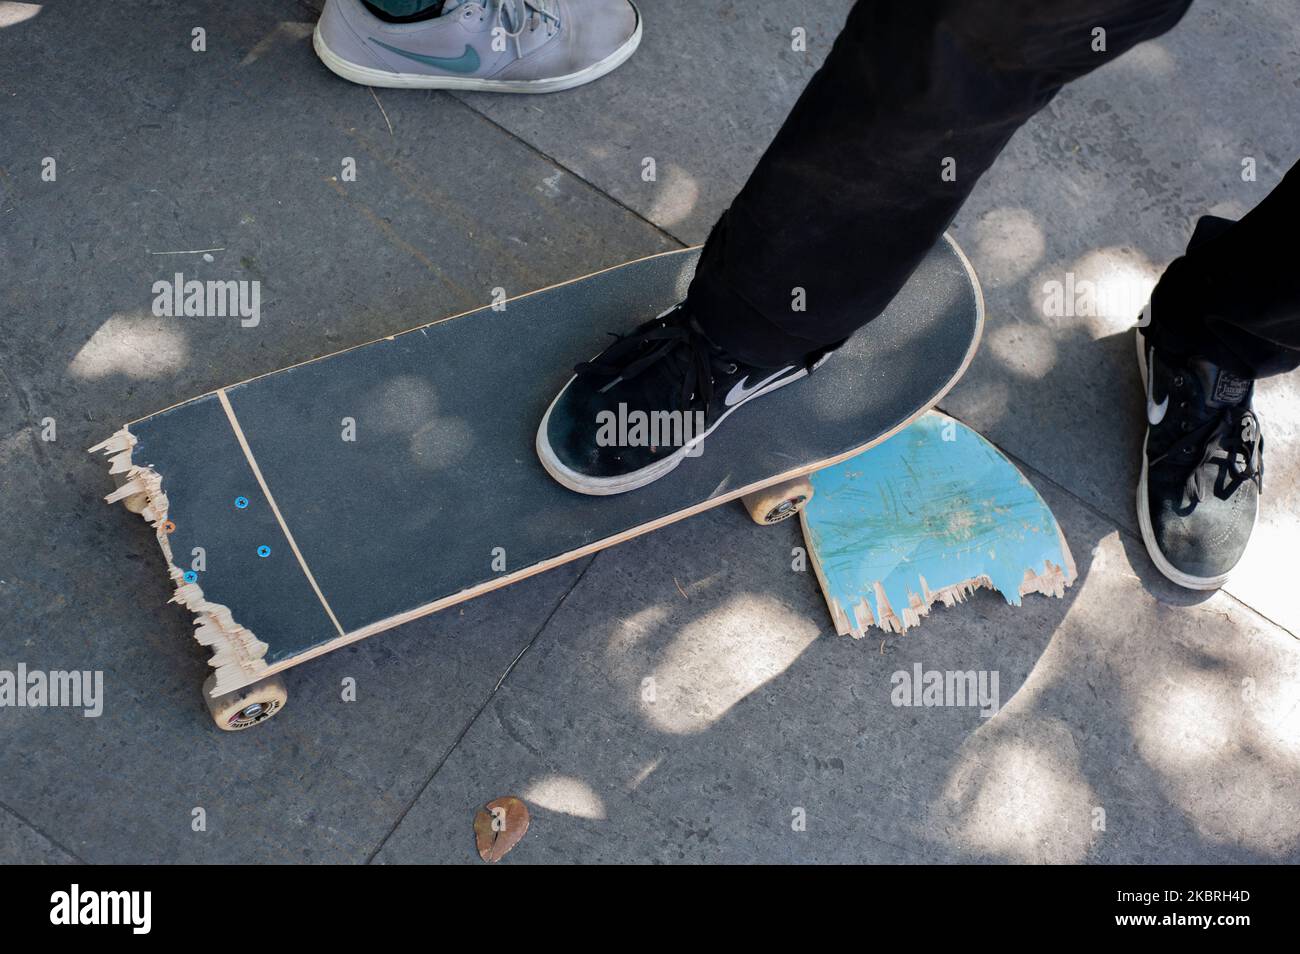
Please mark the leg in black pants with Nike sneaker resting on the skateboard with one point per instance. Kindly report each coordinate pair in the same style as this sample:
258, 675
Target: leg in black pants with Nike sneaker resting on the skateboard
846, 203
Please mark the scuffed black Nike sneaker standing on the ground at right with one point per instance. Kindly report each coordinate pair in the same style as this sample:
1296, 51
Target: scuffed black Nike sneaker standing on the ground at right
1202, 470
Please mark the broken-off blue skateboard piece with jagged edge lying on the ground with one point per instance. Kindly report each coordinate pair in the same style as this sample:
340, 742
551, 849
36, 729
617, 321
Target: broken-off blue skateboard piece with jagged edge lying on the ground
929, 517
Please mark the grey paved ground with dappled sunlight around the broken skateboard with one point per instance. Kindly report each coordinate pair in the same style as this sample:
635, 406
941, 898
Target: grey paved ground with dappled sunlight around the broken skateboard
1141, 723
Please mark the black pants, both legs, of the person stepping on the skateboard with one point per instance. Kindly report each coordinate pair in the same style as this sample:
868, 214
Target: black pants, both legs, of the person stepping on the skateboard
912, 107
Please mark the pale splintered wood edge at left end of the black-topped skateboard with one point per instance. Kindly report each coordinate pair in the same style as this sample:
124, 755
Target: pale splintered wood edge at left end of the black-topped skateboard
239, 657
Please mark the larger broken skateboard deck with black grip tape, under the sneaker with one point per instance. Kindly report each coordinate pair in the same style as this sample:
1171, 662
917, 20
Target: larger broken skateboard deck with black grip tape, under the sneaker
349, 495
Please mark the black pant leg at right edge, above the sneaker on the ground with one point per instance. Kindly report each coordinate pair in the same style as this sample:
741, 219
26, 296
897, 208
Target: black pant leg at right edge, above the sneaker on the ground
1234, 298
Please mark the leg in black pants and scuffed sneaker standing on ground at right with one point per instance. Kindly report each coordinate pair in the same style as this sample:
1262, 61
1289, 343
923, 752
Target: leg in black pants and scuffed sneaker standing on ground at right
1223, 315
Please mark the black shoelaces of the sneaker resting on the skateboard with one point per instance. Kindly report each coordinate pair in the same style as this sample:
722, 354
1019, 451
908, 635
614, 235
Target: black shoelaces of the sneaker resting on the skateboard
634, 354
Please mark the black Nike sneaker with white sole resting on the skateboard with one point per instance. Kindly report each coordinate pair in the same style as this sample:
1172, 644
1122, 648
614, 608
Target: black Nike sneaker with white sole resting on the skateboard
644, 405
